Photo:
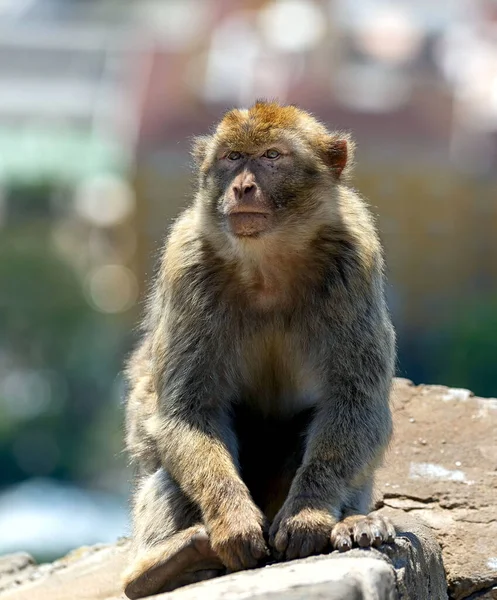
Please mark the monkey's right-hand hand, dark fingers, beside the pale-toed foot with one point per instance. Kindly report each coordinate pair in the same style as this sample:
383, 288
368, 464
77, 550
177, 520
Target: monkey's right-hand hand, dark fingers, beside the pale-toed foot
300, 532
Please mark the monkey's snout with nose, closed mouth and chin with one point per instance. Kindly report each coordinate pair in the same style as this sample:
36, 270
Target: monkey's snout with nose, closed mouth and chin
246, 208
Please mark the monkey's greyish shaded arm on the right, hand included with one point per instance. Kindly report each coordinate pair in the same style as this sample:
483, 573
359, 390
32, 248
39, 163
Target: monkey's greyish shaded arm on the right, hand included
345, 442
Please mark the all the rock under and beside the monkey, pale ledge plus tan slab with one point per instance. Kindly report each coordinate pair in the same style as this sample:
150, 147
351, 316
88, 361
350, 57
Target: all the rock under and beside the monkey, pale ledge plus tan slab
441, 470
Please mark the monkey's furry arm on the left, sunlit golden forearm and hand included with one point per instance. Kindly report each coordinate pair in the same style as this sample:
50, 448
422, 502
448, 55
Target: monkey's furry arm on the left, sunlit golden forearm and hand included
195, 442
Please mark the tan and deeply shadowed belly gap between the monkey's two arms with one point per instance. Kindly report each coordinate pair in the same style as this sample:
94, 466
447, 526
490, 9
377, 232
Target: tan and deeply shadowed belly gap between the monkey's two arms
272, 412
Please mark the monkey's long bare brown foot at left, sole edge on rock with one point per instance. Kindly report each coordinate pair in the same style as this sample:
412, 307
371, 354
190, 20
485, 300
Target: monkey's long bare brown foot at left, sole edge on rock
185, 558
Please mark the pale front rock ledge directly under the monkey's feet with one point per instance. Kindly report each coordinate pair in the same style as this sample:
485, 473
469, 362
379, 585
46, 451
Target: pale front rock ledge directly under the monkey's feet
411, 569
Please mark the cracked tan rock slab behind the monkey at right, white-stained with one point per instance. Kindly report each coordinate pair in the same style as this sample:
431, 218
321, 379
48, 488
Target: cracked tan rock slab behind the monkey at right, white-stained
442, 469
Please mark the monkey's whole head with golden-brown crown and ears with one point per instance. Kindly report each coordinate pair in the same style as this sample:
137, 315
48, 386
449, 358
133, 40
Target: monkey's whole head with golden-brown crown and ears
268, 166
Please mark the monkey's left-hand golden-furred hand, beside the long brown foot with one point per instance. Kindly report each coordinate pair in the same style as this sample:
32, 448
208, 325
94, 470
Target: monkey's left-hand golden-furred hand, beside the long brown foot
237, 537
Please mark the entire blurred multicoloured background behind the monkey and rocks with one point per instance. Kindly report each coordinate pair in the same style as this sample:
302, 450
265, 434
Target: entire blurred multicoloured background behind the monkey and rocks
99, 100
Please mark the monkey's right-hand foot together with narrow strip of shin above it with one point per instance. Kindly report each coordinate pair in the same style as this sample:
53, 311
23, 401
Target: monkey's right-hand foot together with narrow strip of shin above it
359, 527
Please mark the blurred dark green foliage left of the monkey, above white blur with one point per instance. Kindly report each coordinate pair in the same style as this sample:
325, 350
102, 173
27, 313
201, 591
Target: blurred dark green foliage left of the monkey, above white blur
60, 415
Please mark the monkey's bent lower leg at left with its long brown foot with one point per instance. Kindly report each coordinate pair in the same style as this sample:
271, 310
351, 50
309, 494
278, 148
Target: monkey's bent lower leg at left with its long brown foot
171, 547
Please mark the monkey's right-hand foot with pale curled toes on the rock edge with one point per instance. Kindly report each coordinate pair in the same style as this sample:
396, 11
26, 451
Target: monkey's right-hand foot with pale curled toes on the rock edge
363, 531
